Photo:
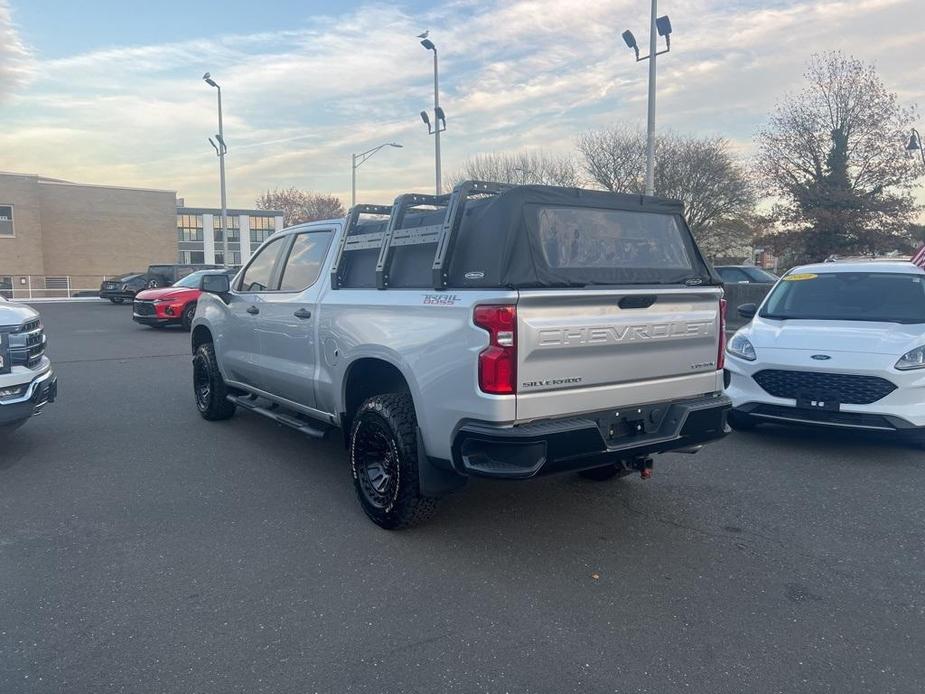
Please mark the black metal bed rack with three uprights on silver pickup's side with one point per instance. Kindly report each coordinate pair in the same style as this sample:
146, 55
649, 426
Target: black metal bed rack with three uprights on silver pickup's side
442, 234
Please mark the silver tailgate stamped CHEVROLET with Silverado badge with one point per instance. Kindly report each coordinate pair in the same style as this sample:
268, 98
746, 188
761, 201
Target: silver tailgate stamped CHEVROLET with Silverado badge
587, 350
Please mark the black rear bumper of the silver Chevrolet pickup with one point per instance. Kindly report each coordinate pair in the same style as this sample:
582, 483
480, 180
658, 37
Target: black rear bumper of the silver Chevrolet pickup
482, 449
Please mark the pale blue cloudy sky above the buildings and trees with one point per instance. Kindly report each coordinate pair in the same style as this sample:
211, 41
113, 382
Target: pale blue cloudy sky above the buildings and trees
107, 91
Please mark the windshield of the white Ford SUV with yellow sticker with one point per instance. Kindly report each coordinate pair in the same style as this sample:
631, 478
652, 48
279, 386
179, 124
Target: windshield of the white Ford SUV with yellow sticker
859, 296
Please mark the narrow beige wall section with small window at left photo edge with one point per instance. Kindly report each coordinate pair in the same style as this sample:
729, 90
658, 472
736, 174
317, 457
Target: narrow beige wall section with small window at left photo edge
22, 253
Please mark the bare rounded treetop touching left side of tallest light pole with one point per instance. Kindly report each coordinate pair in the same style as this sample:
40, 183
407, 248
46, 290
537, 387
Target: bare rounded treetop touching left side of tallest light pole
614, 158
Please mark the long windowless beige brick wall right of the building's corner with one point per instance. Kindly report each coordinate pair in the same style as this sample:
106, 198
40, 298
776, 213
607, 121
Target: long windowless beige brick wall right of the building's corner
101, 230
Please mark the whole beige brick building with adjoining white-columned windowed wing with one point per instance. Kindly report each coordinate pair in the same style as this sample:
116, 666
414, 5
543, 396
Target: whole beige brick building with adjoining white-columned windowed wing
61, 236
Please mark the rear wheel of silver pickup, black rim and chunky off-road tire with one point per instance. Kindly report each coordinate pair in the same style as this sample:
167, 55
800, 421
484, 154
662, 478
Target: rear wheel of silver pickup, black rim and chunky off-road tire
383, 433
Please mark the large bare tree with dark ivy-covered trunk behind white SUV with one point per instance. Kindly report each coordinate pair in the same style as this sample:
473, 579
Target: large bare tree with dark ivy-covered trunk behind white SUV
834, 156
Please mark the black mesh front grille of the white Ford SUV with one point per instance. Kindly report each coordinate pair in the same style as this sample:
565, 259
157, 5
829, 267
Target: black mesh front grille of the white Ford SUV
848, 389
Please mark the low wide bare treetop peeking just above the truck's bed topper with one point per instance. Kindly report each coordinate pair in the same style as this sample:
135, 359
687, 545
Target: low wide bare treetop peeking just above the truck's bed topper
521, 168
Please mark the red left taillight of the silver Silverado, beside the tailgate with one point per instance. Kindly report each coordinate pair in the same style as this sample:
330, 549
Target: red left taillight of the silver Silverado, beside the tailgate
498, 362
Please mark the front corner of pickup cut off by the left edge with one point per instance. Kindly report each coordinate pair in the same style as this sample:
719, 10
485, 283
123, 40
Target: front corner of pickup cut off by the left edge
27, 381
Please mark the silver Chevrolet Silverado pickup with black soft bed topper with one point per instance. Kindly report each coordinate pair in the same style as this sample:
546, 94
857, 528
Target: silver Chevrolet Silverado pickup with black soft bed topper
498, 331
